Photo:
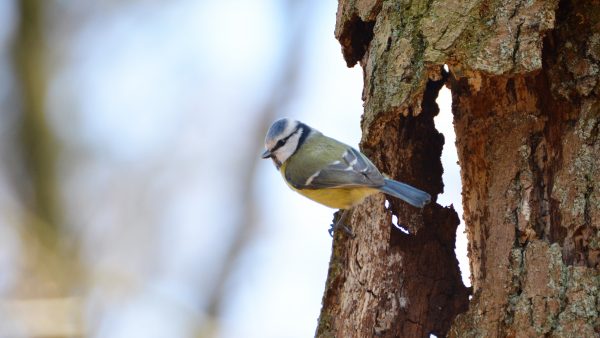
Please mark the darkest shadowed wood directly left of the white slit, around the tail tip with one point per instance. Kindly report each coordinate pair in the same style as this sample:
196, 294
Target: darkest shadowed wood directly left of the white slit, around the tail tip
429, 251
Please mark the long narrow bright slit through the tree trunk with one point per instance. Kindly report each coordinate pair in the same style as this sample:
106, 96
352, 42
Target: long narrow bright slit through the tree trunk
451, 177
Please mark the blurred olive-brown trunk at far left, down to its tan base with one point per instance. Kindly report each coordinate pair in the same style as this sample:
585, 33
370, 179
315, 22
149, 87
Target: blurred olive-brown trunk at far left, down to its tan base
50, 271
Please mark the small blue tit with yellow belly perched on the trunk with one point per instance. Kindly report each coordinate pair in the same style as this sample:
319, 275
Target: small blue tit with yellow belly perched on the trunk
328, 171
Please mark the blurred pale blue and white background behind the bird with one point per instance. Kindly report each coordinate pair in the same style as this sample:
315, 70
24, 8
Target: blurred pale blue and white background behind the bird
132, 199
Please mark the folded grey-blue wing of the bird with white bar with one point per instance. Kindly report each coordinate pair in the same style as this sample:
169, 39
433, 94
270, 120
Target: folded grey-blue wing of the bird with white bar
353, 169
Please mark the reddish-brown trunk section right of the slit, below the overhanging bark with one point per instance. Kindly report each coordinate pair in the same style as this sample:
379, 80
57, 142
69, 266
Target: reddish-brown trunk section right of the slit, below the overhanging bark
528, 145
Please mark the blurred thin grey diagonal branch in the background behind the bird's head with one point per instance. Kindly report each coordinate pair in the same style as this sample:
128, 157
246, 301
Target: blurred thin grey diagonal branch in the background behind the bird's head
297, 16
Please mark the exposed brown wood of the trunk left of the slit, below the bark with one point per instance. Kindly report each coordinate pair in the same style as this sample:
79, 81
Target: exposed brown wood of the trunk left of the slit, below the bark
406, 285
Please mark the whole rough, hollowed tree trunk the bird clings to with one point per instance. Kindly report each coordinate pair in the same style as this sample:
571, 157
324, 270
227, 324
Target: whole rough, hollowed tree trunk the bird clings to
524, 81
